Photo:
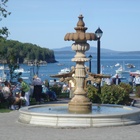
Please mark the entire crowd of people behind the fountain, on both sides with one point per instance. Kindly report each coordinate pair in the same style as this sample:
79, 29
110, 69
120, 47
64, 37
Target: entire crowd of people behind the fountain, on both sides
18, 94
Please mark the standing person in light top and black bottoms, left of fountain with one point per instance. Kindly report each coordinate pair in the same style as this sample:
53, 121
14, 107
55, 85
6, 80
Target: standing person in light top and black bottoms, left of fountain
37, 83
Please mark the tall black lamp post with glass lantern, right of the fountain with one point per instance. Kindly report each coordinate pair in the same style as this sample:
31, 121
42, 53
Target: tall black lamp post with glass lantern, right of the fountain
98, 34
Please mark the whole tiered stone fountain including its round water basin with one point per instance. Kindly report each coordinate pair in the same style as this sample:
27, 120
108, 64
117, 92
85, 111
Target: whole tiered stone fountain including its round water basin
80, 111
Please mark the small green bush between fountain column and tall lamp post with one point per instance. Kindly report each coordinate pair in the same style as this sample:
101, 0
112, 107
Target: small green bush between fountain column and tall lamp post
92, 94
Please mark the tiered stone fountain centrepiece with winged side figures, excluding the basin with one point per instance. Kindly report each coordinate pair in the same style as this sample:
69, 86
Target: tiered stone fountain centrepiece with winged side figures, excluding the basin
80, 103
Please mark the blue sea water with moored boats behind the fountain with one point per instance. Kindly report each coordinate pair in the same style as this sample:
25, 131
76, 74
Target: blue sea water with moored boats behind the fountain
64, 60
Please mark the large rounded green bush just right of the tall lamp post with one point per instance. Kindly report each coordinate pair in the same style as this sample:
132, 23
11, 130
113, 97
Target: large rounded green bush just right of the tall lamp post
114, 95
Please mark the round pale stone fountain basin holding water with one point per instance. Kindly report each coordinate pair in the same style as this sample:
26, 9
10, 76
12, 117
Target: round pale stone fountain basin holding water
52, 118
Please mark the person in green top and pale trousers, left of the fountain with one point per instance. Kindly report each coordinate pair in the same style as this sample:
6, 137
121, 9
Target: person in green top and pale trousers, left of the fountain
25, 88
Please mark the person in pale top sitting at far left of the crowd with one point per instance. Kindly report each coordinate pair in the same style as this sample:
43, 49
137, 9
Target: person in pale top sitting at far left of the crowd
7, 93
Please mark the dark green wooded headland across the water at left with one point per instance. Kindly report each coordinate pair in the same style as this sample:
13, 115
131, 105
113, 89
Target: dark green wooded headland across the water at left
25, 52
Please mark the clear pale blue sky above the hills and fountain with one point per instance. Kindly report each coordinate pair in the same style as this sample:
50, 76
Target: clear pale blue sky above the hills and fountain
46, 22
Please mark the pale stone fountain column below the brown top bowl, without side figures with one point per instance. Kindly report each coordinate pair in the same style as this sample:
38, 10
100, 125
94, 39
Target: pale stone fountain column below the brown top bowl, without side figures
80, 103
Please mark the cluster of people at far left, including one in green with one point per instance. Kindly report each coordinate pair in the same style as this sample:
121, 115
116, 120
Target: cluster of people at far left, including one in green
15, 95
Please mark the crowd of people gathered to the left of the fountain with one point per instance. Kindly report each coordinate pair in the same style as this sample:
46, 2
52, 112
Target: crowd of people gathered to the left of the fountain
19, 94
